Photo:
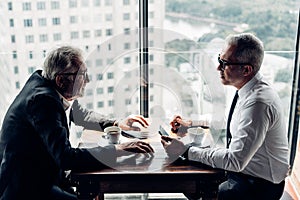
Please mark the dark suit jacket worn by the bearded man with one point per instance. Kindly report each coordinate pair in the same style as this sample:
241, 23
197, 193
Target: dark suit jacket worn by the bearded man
34, 145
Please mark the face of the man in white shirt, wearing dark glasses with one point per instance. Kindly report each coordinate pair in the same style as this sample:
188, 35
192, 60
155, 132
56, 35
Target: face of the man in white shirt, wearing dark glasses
230, 72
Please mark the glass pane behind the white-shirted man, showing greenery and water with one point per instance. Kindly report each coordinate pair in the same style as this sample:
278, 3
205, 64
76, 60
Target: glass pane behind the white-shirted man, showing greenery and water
186, 44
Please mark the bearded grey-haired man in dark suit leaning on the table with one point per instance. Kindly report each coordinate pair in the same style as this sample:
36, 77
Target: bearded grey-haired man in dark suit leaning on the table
35, 150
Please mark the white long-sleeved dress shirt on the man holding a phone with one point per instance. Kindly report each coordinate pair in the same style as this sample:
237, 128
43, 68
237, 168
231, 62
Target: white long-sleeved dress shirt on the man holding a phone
259, 145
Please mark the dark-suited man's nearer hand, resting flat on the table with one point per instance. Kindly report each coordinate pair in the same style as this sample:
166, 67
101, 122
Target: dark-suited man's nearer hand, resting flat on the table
133, 147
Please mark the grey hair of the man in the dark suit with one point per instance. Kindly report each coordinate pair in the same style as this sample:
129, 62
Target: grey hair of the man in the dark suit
61, 59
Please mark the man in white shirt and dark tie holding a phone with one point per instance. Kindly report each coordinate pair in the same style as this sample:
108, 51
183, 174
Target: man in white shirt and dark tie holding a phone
256, 159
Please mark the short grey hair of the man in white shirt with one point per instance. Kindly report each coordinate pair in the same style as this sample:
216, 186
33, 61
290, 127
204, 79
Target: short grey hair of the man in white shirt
249, 49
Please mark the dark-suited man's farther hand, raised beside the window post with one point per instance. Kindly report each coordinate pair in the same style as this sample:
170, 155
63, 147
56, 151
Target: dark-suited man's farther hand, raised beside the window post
126, 124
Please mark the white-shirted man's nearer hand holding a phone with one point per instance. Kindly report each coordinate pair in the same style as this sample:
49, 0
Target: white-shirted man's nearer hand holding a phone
173, 146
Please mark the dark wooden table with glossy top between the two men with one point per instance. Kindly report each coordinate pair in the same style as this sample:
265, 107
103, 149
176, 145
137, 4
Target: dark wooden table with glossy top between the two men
147, 174
